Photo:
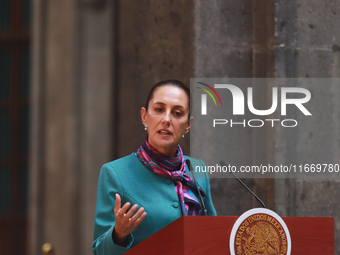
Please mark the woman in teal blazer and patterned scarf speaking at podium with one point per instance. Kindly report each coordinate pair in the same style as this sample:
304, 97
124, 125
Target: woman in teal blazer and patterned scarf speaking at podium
142, 193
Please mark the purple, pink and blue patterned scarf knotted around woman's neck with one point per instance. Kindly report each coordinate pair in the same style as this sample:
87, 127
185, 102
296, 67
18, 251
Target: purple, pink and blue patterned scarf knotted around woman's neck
175, 168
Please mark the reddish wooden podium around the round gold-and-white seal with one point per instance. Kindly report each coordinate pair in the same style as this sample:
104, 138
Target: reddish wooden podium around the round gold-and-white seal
210, 235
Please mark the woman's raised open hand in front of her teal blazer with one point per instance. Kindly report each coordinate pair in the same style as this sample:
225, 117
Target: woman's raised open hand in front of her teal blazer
126, 220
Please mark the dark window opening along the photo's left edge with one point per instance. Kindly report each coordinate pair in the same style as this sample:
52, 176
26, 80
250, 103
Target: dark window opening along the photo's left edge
14, 124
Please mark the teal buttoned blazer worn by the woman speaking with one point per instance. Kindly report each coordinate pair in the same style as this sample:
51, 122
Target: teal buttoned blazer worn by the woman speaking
129, 178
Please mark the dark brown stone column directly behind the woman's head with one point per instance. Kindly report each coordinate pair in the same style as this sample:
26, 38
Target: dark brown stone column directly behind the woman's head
155, 43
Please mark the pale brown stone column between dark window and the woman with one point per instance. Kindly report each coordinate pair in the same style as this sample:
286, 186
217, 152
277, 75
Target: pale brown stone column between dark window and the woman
72, 90
